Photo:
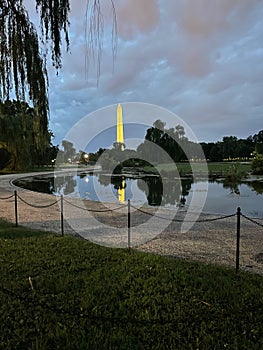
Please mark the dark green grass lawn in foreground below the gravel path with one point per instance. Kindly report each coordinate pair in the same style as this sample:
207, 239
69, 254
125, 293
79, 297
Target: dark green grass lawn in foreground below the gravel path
89, 297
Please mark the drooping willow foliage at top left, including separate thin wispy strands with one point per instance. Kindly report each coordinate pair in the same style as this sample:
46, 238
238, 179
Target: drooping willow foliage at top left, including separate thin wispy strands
24, 51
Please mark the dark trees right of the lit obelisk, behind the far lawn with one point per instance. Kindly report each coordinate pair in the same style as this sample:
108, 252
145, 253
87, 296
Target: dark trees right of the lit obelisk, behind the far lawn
179, 148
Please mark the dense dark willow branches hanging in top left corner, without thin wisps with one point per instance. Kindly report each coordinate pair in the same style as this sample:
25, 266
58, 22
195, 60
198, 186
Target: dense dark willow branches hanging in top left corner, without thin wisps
22, 60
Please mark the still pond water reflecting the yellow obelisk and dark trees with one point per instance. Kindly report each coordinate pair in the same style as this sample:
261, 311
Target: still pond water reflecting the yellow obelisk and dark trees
152, 190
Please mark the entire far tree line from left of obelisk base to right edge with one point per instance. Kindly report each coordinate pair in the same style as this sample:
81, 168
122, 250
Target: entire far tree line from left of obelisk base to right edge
163, 145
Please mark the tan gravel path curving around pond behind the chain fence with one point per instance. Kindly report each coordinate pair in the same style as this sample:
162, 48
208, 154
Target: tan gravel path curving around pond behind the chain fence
213, 241
